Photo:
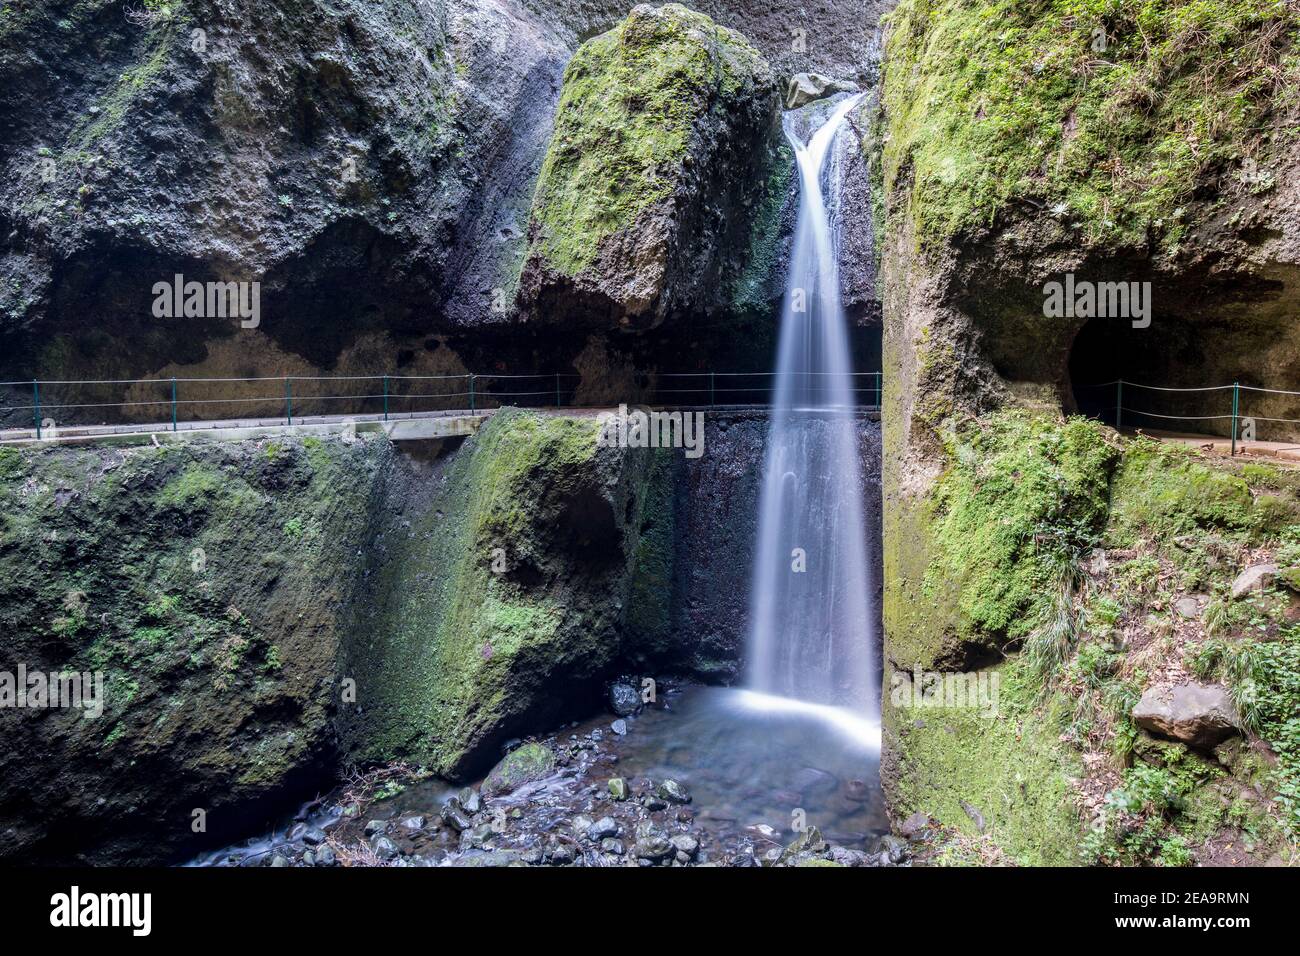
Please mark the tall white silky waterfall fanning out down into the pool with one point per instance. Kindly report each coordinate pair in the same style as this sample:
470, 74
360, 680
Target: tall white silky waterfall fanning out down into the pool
811, 609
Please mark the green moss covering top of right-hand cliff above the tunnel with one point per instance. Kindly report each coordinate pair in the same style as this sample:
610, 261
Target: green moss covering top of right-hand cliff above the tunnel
1002, 103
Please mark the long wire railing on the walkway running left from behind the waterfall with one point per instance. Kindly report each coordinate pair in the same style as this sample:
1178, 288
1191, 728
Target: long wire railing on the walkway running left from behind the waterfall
383, 396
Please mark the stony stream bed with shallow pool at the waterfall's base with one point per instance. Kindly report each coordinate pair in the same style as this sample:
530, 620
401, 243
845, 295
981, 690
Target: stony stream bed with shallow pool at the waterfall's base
708, 776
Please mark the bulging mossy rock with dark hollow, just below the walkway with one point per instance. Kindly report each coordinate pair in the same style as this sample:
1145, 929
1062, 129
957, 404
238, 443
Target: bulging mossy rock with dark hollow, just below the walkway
496, 609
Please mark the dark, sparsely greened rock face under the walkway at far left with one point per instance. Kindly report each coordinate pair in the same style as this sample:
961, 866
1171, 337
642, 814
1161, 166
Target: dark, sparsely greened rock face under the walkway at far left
210, 586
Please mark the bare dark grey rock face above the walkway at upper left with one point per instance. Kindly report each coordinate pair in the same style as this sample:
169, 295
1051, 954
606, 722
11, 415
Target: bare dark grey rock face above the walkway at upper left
371, 165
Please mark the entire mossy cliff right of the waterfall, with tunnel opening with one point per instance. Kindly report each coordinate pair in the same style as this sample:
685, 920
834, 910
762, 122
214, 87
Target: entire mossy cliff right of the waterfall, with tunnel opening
1123, 149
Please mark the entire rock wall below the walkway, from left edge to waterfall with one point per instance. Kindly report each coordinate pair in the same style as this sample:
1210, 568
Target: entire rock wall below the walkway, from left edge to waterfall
266, 612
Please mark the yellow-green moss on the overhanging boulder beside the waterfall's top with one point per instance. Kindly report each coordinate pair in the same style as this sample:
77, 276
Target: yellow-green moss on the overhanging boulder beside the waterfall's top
626, 116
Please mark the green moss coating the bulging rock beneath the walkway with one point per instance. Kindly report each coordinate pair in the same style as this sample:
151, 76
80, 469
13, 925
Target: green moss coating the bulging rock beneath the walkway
466, 638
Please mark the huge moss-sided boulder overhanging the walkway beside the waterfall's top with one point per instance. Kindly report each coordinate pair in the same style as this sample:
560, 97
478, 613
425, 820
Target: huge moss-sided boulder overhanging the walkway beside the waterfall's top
662, 135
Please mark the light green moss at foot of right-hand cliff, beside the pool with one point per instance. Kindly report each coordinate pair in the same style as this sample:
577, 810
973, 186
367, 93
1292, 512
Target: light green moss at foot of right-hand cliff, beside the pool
1009, 768
